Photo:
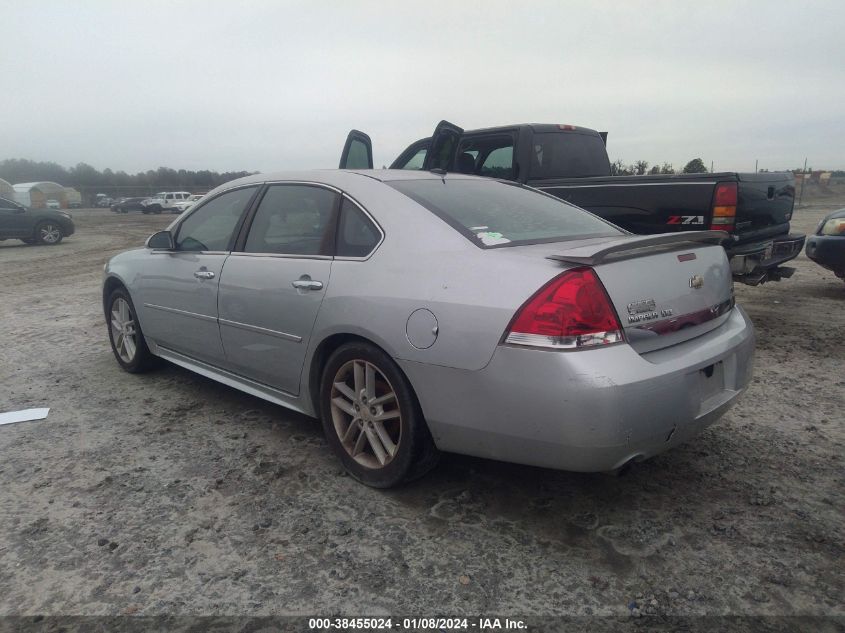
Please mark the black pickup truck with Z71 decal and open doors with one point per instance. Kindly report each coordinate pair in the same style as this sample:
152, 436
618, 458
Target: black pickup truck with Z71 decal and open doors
571, 163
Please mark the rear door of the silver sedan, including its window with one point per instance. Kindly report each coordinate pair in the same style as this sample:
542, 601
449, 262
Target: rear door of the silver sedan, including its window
273, 285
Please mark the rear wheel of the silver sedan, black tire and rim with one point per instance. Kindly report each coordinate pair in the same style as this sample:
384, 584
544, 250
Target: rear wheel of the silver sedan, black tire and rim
372, 419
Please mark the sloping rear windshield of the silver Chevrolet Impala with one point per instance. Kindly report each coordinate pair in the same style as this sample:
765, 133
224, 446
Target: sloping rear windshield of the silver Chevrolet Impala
492, 213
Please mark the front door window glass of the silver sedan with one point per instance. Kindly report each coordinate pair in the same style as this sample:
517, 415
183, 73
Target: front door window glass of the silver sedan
212, 226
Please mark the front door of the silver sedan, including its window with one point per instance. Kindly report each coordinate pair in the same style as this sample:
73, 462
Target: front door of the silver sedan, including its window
177, 290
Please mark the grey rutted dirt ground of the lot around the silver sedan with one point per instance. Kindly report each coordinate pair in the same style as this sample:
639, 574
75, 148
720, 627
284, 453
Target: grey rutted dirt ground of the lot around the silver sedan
169, 493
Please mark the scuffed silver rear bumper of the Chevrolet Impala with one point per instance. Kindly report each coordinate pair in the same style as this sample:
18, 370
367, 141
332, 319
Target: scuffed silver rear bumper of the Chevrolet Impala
590, 410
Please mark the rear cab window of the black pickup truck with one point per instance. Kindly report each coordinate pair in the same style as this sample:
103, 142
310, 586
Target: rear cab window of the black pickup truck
568, 155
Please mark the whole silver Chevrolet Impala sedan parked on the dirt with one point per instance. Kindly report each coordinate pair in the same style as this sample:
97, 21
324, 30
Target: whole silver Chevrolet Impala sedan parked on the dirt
418, 312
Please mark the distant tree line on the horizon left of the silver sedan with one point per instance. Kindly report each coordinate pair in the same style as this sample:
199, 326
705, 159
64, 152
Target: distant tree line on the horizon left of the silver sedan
86, 178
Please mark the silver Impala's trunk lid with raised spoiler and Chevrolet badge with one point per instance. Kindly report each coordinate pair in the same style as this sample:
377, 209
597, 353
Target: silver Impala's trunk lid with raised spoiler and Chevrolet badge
666, 289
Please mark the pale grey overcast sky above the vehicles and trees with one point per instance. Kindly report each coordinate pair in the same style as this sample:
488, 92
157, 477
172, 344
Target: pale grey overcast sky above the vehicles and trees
274, 85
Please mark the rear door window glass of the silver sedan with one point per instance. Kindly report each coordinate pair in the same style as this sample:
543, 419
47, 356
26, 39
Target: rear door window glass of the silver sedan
293, 220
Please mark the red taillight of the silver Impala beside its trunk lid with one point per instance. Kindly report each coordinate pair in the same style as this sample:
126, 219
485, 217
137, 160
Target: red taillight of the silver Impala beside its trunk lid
571, 311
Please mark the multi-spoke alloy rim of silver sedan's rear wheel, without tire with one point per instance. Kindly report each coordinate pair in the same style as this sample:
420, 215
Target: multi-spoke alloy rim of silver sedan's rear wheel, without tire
365, 413
